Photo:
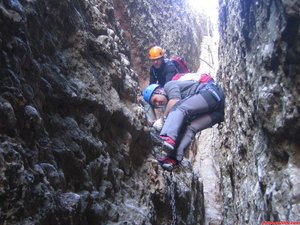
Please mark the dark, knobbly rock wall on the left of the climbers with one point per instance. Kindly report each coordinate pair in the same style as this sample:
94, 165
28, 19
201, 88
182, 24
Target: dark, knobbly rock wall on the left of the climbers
74, 137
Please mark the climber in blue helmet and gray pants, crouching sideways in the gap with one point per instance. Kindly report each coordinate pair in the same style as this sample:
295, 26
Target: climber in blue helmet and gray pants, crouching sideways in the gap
191, 106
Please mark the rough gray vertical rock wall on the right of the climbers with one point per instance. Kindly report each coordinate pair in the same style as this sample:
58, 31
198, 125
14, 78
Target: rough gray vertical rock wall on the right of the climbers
259, 69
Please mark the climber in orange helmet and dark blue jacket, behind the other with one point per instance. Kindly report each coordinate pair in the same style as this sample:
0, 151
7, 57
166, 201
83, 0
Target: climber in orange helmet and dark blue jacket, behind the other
162, 69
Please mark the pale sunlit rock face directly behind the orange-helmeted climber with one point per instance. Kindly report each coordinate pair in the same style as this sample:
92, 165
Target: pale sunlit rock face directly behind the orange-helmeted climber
170, 24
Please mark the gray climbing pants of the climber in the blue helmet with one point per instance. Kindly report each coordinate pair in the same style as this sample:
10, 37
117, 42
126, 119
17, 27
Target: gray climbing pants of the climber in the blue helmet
191, 115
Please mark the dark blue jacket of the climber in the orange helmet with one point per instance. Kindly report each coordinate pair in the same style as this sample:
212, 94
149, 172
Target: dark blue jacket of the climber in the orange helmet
164, 73
